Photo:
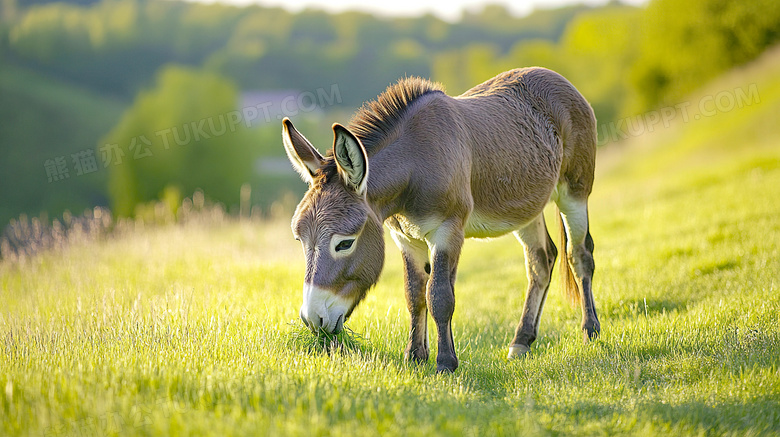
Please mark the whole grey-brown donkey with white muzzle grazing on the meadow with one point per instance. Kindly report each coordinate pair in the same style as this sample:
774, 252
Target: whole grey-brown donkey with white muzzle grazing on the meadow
435, 170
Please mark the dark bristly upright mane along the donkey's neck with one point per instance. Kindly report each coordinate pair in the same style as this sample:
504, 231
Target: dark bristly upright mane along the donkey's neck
376, 120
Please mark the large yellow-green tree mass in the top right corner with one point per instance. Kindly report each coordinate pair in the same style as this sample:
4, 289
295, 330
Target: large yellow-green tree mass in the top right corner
685, 44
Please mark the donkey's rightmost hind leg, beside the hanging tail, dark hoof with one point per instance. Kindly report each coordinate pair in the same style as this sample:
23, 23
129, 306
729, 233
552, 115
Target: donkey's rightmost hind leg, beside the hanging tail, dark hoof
579, 252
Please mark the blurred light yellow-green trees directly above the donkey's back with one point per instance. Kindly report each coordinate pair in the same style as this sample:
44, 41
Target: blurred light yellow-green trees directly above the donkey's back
595, 50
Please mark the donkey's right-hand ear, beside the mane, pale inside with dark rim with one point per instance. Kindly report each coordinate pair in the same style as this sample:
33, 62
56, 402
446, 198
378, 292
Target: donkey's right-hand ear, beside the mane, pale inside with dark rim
351, 159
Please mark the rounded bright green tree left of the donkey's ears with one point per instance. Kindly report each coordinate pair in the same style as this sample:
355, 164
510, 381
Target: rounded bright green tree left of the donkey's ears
180, 134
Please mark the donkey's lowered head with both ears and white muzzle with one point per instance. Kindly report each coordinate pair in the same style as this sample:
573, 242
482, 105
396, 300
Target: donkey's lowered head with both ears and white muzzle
341, 235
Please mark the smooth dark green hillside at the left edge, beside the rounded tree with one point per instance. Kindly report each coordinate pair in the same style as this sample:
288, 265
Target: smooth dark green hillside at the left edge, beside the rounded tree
44, 118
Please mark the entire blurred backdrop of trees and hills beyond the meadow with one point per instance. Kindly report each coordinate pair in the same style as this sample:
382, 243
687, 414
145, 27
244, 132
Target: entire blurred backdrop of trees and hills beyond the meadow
134, 104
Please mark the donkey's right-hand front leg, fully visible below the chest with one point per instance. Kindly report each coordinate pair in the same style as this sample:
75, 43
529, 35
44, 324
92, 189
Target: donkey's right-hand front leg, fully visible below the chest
445, 248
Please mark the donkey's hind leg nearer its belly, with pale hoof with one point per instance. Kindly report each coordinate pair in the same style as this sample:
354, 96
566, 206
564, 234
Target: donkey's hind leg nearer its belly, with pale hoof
540, 253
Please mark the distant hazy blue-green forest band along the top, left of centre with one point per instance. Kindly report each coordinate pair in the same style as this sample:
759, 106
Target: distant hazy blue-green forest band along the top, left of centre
116, 46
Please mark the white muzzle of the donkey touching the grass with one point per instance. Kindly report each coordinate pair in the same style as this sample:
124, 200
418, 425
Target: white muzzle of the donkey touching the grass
323, 310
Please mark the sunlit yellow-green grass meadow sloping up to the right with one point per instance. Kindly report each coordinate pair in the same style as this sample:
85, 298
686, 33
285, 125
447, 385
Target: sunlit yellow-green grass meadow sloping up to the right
192, 329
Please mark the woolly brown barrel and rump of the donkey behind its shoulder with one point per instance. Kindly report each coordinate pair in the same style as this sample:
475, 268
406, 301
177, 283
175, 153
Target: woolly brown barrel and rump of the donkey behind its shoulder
530, 132
